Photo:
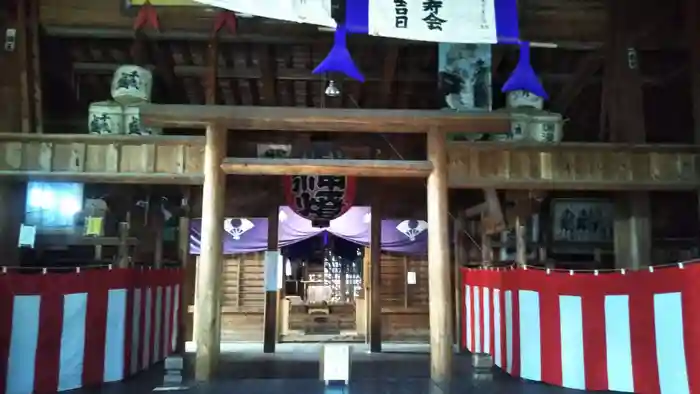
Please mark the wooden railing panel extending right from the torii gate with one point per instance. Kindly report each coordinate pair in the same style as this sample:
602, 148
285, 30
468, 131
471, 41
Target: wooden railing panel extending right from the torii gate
573, 166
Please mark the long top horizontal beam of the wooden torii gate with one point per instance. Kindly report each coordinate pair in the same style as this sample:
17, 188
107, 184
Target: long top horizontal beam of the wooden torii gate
323, 119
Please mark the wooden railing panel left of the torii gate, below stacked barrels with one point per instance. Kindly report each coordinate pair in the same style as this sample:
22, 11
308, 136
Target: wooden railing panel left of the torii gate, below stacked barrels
100, 158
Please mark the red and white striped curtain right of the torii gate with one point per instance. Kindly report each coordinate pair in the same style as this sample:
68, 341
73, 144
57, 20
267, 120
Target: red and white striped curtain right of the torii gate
631, 332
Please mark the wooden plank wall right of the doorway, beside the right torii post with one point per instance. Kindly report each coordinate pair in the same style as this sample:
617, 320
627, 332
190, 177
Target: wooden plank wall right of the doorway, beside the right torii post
404, 306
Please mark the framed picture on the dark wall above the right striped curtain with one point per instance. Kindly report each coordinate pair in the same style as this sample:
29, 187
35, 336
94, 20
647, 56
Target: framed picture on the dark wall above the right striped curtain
582, 220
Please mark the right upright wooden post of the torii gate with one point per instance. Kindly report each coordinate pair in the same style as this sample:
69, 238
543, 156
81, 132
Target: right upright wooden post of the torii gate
440, 299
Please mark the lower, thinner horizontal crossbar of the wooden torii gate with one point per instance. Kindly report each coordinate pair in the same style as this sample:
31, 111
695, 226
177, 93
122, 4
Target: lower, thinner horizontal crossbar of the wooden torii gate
360, 168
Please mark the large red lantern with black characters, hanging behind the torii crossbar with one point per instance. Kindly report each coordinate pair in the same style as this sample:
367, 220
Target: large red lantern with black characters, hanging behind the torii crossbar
320, 198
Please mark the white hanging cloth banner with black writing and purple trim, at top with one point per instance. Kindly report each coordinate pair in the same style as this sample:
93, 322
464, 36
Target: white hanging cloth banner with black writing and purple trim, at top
459, 21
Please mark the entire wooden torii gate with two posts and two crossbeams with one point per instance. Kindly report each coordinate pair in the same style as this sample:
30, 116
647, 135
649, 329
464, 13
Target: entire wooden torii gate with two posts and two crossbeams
219, 119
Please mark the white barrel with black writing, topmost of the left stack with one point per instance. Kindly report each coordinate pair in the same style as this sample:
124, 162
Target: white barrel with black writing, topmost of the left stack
132, 85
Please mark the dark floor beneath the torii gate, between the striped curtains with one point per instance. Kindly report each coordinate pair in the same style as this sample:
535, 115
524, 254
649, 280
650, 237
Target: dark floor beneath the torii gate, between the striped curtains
399, 369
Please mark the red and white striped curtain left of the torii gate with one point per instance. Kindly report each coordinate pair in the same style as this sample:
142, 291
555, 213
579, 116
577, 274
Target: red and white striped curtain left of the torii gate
68, 330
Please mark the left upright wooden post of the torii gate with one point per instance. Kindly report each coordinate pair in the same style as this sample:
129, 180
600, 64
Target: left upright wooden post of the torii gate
207, 312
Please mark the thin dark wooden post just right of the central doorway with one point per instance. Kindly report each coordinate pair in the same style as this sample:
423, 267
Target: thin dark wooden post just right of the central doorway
375, 302
